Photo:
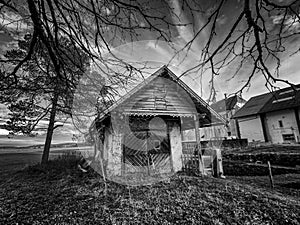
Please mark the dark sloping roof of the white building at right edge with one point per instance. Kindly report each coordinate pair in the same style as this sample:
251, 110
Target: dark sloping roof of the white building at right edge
278, 100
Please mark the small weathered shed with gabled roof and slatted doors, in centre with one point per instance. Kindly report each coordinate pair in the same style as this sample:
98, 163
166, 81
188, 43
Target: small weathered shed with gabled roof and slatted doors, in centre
142, 132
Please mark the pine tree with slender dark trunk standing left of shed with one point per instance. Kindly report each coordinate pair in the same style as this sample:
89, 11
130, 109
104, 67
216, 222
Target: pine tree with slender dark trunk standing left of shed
39, 93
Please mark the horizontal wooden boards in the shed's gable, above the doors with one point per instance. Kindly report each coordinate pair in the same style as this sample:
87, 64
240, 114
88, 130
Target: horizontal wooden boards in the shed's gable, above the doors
160, 96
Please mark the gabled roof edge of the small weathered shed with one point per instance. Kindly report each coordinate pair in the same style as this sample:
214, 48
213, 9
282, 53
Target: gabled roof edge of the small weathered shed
165, 72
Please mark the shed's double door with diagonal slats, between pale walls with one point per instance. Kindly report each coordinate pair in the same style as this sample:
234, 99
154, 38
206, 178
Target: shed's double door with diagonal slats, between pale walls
147, 151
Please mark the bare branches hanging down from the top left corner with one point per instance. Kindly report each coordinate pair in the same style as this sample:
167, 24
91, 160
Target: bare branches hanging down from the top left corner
93, 26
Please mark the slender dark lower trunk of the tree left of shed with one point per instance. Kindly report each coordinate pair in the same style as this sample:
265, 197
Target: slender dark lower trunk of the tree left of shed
50, 130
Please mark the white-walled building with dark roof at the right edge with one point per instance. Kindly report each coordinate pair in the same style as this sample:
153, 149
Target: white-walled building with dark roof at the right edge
271, 117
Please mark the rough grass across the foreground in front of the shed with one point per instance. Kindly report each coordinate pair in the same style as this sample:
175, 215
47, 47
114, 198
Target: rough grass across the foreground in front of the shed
61, 194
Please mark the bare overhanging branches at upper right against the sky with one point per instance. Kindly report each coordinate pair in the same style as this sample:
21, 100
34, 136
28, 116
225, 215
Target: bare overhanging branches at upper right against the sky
257, 36
